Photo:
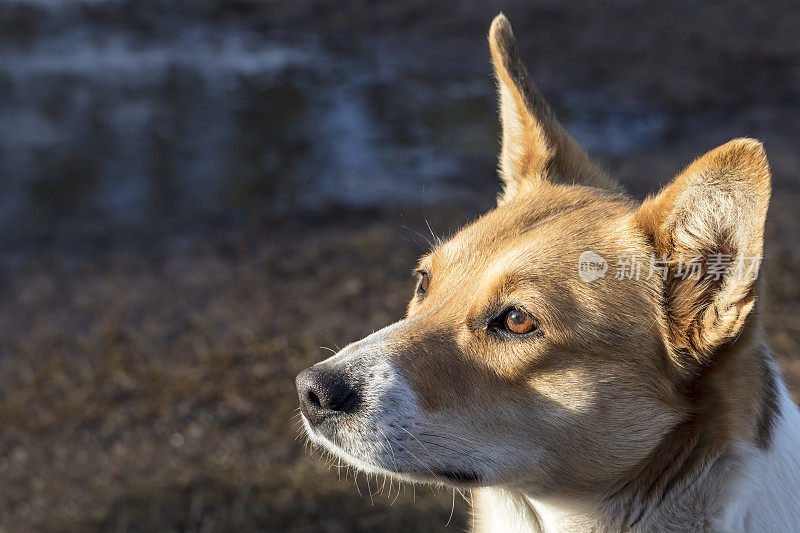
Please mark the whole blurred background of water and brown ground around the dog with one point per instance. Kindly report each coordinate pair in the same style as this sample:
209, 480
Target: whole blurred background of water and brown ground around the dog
195, 196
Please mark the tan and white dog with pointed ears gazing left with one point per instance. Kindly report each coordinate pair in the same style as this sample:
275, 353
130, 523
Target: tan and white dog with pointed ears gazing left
565, 395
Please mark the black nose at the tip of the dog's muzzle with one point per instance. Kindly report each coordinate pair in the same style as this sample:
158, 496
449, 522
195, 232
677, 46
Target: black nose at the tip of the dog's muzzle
324, 392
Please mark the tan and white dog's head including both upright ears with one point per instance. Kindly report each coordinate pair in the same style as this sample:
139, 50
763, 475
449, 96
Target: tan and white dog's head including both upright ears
528, 356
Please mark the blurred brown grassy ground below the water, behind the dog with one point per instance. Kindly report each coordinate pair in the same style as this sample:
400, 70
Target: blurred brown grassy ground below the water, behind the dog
149, 386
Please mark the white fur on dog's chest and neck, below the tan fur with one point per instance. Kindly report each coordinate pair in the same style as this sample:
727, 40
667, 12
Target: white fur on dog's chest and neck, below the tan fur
759, 490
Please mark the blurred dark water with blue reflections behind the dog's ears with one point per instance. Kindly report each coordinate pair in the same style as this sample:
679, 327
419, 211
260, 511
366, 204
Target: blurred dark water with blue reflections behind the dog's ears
118, 114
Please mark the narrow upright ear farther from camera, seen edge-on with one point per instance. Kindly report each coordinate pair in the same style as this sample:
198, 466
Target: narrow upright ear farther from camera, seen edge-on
535, 146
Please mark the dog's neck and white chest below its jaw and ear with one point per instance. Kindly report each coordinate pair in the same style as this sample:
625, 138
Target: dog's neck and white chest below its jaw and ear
731, 488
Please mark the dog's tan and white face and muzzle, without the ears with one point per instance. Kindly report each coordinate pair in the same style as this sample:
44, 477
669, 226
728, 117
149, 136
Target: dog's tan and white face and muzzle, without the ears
507, 358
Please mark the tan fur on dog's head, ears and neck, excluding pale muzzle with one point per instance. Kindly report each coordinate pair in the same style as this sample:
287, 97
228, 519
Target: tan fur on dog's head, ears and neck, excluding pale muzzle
620, 336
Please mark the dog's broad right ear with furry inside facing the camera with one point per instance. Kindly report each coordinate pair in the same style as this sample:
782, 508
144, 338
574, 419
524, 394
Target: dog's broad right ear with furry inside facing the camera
713, 214
